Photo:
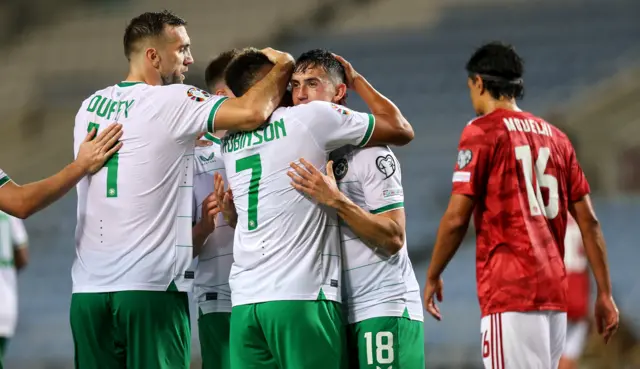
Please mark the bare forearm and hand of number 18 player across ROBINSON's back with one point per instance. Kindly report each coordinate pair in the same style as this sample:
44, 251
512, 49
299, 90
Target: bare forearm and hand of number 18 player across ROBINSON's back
383, 227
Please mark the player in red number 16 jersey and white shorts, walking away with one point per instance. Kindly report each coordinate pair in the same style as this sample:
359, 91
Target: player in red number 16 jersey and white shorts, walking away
520, 175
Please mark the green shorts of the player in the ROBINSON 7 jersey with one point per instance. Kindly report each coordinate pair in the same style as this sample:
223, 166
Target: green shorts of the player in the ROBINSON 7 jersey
288, 335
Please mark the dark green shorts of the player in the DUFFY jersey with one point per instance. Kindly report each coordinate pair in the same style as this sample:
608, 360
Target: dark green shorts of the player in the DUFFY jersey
131, 329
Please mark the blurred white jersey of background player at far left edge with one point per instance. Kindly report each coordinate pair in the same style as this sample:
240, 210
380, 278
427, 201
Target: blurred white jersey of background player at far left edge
12, 236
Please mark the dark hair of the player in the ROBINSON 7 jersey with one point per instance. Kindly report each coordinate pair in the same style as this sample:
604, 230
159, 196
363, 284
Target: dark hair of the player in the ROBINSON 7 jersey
242, 72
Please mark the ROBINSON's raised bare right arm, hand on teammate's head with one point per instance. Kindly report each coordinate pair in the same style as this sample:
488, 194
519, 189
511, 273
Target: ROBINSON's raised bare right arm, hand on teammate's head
391, 127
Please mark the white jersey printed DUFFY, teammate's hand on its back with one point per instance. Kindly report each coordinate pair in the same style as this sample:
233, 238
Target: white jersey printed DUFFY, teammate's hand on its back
134, 215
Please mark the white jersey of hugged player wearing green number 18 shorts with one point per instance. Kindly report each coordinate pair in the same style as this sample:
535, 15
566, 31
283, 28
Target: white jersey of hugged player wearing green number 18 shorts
375, 284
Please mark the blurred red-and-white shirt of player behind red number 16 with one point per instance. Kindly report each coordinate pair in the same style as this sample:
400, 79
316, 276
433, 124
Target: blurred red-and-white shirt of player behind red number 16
578, 281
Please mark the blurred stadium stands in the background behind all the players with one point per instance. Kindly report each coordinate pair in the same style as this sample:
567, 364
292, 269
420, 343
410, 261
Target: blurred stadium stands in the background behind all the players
582, 74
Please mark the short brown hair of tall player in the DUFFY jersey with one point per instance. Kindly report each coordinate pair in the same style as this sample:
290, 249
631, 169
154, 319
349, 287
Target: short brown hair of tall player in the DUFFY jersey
150, 24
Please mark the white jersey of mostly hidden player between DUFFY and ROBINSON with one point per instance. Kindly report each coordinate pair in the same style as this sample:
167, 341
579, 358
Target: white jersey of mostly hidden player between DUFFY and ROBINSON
211, 286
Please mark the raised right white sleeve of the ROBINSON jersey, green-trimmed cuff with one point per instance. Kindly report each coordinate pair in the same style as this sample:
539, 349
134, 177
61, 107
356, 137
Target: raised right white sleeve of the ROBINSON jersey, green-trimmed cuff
334, 126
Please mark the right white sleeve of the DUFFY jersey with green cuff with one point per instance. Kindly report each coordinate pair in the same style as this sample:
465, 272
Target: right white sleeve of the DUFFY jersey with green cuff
188, 110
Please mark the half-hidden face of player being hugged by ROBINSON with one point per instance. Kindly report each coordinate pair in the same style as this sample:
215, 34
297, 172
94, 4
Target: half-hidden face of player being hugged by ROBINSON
313, 84
